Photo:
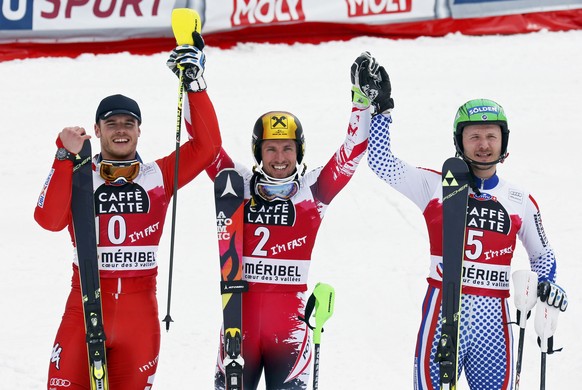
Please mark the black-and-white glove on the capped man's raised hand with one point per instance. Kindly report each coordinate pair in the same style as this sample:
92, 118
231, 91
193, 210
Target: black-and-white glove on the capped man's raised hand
191, 60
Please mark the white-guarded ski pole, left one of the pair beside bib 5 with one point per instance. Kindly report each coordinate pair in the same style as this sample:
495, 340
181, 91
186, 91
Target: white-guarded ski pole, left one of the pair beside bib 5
525, 284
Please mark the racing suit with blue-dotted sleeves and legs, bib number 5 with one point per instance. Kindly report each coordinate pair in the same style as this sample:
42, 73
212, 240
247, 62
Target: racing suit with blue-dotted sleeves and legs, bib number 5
496, 217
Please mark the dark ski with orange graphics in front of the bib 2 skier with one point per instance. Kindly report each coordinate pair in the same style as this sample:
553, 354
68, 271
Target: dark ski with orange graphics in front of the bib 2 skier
229, 199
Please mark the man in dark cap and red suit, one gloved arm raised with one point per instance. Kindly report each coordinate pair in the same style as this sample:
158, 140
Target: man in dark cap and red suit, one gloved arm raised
131, 199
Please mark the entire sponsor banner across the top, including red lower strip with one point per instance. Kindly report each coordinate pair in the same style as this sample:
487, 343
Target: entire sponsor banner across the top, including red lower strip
34, 28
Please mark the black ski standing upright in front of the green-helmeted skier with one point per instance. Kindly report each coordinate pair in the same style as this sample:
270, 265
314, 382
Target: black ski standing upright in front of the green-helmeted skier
455, 184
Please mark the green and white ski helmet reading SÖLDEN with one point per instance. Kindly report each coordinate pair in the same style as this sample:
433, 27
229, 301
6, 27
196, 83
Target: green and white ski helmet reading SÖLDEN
480, 111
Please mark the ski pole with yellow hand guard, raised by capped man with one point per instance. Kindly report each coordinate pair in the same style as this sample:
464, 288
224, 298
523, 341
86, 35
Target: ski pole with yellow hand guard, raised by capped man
184, 22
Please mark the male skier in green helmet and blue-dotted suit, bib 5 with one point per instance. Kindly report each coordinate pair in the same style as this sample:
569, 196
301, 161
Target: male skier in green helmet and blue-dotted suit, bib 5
498, 212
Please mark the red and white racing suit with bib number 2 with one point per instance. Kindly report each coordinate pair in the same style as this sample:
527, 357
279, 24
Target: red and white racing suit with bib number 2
279, 237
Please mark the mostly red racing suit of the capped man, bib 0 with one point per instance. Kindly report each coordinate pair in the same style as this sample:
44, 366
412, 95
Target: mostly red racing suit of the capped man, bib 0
129, 222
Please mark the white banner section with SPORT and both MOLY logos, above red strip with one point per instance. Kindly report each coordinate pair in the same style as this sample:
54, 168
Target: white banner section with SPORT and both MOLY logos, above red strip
28, 20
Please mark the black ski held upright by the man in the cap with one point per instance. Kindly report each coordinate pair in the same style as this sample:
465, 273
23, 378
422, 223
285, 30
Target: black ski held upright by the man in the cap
83, 210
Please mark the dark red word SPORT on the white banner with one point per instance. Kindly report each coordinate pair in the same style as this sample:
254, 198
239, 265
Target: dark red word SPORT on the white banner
101, 8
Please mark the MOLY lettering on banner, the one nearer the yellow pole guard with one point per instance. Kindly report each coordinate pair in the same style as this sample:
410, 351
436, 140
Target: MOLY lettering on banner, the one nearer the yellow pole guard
252, 12
